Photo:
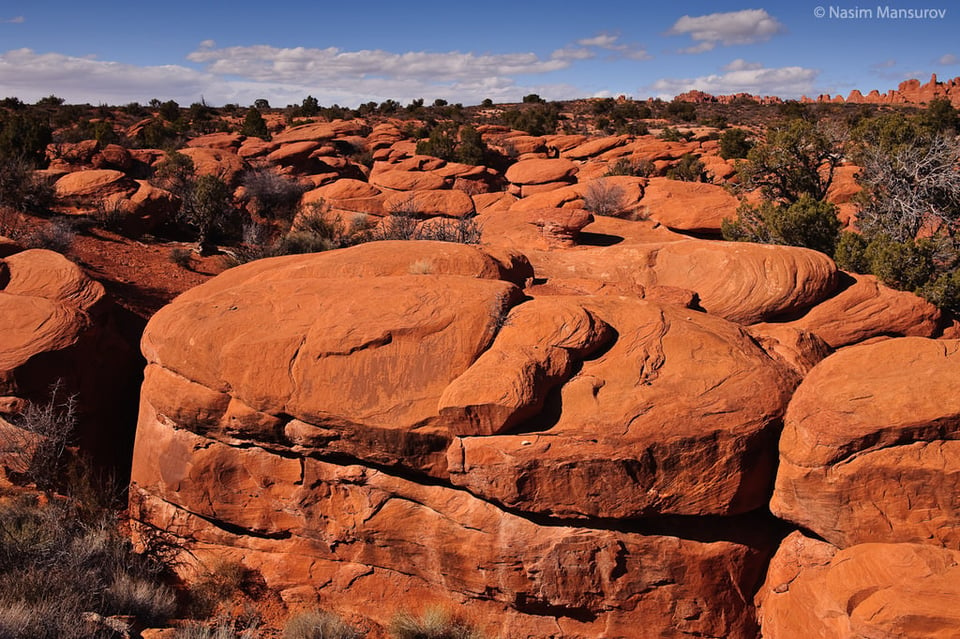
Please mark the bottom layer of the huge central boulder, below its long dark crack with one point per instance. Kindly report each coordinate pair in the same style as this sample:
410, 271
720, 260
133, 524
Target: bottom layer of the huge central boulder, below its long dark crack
346, 535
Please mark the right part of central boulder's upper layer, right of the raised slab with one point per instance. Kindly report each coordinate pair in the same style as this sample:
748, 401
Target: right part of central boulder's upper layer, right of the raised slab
670, 437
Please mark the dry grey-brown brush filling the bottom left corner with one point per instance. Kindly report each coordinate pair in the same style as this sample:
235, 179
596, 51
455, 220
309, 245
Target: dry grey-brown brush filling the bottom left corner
59, 562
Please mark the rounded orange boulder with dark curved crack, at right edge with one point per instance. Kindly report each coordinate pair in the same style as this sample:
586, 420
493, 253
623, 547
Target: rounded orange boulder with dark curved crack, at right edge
870, 450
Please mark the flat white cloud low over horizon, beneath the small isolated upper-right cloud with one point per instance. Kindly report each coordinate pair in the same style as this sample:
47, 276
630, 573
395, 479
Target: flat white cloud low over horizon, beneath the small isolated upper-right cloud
786, 82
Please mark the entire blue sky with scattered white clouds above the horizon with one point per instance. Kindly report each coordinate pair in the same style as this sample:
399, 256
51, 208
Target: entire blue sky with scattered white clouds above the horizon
115, 53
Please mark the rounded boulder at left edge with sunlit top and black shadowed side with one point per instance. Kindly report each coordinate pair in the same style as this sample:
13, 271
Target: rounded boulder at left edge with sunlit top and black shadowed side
58, 328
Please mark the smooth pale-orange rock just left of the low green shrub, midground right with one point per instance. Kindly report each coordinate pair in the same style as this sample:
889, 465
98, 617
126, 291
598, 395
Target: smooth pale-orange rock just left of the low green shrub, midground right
688, 206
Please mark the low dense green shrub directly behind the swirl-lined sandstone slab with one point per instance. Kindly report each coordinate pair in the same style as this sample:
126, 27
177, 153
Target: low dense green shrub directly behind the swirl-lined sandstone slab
807, 222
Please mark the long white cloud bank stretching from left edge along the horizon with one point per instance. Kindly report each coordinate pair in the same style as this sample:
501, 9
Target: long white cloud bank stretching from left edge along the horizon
283, 76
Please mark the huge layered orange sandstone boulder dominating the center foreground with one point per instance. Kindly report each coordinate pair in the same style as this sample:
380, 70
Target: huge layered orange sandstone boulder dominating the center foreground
563, 466
